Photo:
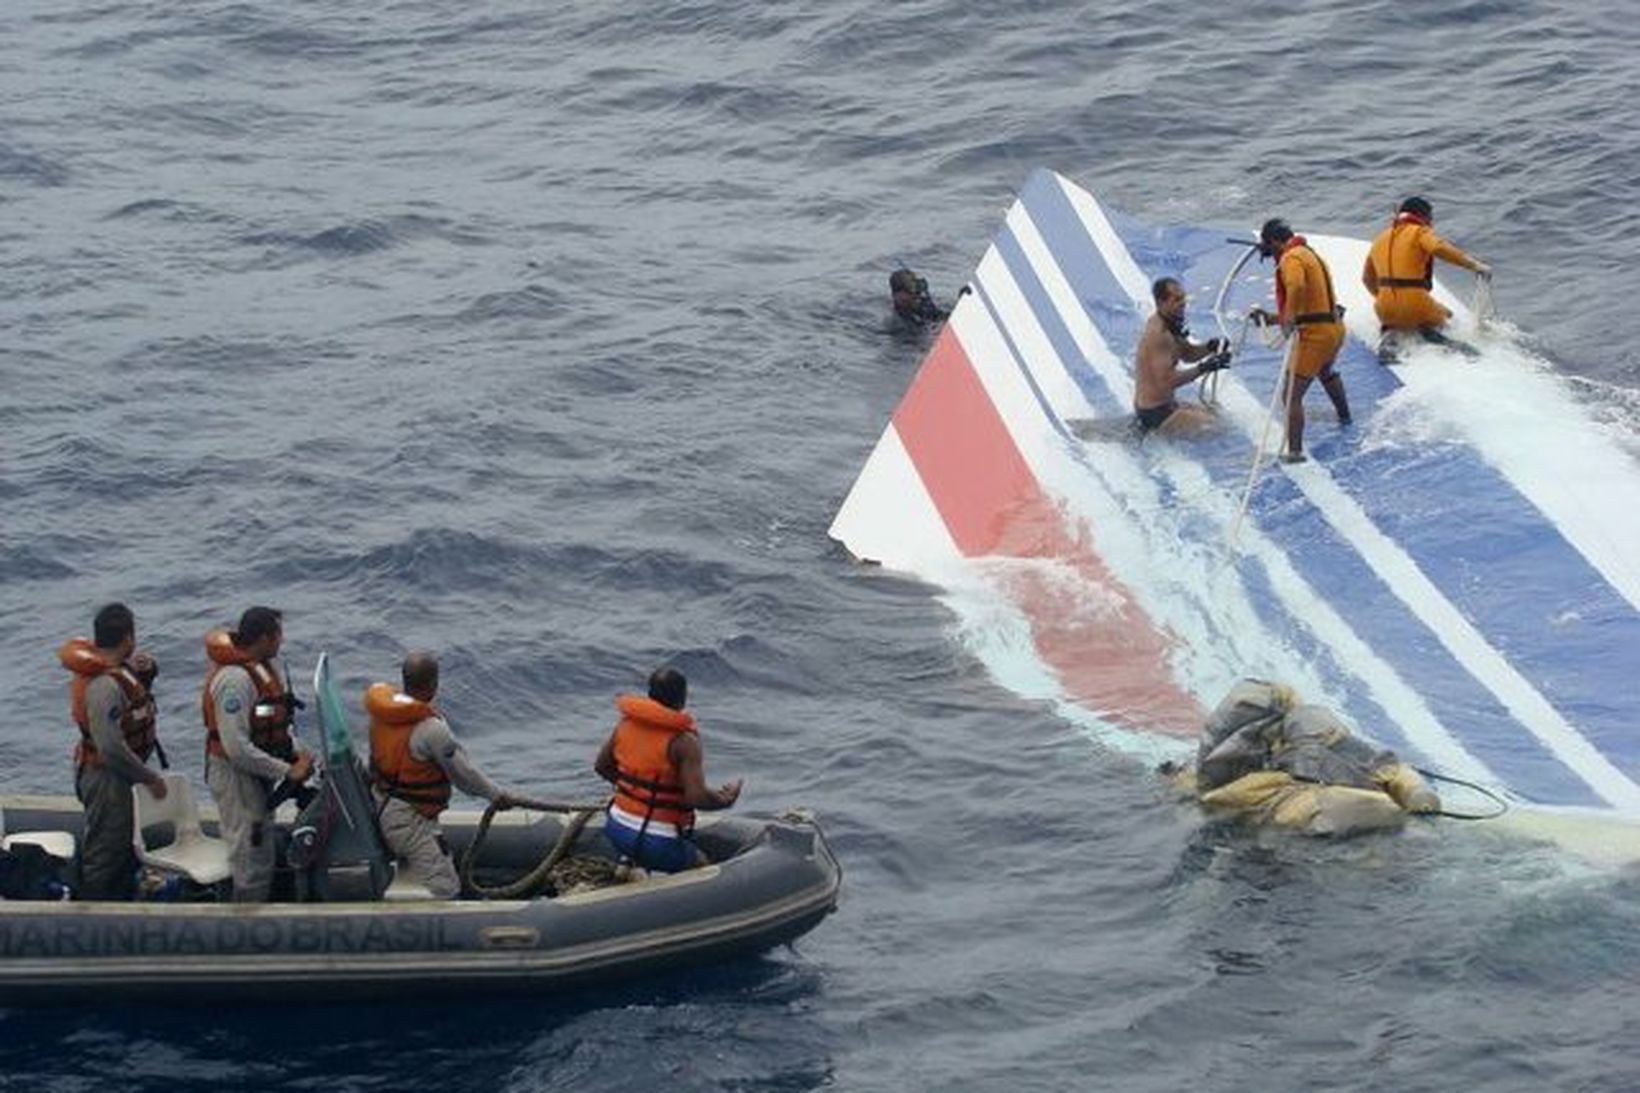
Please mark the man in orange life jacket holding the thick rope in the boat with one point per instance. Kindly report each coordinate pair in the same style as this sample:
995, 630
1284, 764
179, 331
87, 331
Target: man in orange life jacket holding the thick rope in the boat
416, 761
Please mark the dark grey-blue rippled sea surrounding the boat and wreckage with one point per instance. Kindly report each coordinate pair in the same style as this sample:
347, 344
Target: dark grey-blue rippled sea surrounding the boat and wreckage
550, 337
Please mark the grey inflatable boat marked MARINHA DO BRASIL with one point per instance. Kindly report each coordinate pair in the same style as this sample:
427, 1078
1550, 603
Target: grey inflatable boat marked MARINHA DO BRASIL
350, 930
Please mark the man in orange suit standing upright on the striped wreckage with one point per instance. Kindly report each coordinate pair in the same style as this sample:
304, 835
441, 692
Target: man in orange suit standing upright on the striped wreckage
1310, 314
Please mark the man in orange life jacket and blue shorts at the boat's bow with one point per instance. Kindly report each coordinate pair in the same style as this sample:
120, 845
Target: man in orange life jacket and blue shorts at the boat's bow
658, 771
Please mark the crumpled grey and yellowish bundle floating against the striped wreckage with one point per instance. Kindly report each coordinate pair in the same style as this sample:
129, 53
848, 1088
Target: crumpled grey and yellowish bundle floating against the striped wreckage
1272, 761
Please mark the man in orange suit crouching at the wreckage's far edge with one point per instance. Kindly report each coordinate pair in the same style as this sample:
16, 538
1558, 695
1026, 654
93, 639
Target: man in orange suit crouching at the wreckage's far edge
1400, 273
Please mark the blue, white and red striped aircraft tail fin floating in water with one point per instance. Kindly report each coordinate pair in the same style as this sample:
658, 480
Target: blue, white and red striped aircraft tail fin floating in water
1455, 572
